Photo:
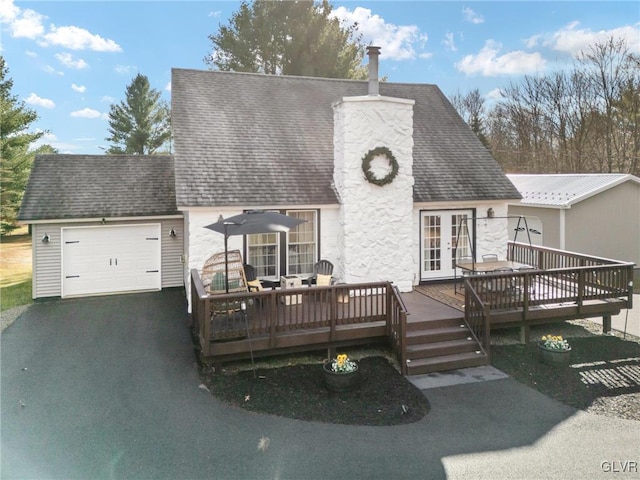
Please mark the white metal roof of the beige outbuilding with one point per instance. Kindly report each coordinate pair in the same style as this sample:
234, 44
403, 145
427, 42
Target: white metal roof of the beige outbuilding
564, 190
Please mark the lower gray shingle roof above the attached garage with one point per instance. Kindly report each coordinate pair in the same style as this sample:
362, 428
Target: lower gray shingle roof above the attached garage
90, 186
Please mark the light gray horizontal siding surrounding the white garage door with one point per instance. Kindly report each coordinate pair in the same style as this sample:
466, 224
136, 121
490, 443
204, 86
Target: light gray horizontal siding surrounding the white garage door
47, 257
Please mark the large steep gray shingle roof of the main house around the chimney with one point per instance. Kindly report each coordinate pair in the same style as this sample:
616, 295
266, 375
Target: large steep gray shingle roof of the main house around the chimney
248, 139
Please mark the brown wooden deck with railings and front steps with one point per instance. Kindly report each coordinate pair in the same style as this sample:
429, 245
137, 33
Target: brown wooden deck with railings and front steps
425, 334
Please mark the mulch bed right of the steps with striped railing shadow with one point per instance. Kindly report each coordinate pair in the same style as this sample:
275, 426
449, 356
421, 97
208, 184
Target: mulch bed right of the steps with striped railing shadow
603, 375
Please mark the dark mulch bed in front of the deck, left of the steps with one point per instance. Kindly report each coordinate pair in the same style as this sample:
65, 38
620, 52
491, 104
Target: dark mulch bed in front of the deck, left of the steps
384, 396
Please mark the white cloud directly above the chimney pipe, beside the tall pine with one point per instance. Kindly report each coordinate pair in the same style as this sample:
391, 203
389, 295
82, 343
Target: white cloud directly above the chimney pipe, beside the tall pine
397, 42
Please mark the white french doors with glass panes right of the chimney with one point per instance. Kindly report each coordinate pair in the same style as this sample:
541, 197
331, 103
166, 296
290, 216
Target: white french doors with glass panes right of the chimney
441, 232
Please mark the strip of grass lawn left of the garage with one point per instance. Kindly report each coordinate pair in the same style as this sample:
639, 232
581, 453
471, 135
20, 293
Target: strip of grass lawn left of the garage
15, 270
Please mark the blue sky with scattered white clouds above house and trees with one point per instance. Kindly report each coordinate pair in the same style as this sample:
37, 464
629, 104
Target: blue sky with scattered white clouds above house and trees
71, 60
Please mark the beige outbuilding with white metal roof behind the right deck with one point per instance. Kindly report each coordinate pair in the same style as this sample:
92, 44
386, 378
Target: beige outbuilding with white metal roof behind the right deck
596, 214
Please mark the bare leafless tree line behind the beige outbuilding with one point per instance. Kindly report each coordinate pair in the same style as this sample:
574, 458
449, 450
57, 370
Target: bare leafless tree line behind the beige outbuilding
585, 119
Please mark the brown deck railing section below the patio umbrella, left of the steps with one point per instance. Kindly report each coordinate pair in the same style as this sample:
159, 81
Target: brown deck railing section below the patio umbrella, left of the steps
269, 316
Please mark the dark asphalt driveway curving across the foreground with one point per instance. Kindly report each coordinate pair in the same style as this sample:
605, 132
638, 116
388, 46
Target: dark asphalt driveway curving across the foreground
108, 387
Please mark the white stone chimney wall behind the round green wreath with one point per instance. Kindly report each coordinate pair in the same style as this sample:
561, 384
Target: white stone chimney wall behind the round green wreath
375, 241
